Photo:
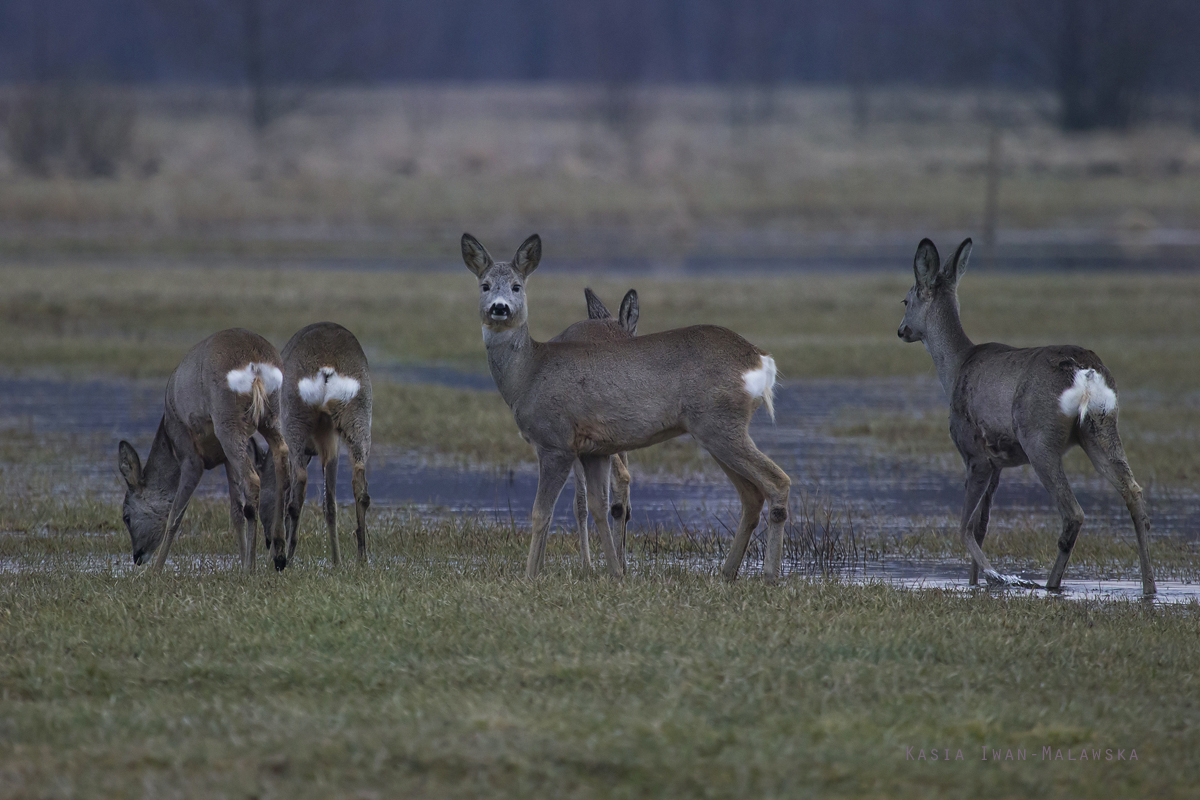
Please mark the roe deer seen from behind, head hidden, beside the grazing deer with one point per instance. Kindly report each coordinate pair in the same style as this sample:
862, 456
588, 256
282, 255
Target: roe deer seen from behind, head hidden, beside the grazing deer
327, 396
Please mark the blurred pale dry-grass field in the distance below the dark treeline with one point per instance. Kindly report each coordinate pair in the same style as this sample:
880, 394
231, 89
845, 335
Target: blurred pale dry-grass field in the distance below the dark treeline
391, 172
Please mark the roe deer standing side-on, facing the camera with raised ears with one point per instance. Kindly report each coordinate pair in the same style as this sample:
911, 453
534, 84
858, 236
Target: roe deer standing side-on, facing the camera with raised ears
589, 401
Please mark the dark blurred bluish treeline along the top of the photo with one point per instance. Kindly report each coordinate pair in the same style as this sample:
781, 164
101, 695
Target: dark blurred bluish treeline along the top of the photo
1103, 59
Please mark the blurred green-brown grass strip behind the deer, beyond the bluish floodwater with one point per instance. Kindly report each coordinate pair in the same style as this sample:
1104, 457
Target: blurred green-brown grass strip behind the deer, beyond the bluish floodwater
83, 320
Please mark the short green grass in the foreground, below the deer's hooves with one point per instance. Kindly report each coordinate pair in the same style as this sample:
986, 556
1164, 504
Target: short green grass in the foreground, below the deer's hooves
437, 672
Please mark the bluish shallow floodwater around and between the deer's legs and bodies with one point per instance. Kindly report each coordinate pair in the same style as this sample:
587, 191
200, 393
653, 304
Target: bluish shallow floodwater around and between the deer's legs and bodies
878, 495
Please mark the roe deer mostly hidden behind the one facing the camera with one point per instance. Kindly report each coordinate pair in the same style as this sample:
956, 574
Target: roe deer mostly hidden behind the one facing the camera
601, 327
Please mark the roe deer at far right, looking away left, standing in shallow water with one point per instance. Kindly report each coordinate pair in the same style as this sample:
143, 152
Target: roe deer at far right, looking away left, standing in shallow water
1012, 407
